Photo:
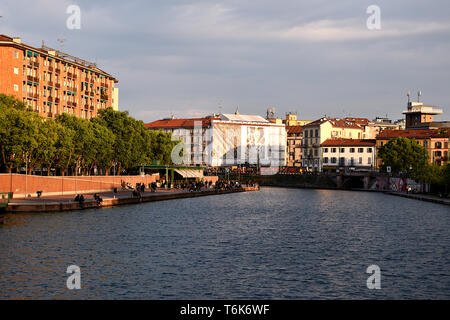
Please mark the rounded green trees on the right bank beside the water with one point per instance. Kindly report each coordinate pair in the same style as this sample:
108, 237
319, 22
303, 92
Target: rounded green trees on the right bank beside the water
405, 155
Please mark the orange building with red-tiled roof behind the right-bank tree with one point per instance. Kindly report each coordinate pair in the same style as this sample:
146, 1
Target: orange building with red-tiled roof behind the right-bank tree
436, 142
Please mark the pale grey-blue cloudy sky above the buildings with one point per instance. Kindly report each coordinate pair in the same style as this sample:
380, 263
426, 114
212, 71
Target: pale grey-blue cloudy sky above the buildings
194, 58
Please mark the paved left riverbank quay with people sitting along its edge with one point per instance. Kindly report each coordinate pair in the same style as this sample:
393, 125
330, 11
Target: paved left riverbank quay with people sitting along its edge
110, 199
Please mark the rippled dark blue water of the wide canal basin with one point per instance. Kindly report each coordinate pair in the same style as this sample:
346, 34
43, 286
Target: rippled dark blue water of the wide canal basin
273, 244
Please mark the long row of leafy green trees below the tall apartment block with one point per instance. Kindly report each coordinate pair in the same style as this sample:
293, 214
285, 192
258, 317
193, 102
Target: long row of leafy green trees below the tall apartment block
112, 140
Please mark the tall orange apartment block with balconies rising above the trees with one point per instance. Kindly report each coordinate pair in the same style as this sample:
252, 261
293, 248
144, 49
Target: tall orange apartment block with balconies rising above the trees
53, 82
